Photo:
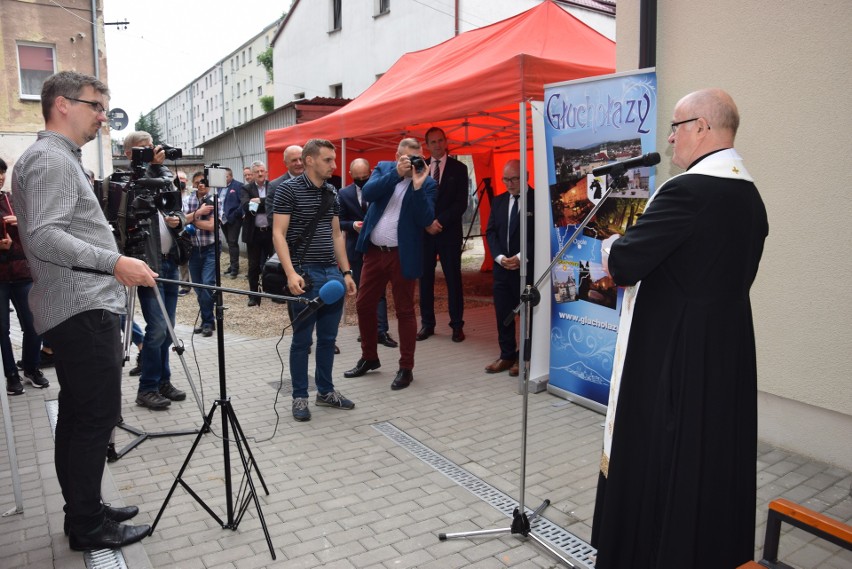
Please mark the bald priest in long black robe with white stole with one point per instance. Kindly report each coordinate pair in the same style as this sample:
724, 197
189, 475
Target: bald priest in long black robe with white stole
678, 475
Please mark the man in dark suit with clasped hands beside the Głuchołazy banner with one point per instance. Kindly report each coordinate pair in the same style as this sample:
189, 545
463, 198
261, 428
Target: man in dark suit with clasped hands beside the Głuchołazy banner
504, 240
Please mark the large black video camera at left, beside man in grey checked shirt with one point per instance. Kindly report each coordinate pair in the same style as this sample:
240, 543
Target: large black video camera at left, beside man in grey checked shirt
132, 200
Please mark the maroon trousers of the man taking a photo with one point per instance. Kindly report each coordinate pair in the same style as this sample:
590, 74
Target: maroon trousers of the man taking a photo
381, 265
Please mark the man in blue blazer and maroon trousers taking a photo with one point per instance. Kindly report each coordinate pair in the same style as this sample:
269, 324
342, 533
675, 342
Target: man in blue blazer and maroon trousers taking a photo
402, 204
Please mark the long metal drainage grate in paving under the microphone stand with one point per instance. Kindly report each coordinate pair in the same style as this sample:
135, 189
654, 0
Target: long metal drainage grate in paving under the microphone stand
560, 539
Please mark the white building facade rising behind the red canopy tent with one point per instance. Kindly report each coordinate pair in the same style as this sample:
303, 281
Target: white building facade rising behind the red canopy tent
338, 48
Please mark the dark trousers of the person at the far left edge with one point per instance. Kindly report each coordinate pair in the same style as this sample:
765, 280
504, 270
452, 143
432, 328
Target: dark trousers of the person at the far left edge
17, 293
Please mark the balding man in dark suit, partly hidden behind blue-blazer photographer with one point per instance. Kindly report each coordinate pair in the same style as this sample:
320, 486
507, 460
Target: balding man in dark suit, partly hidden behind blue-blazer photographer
352, 210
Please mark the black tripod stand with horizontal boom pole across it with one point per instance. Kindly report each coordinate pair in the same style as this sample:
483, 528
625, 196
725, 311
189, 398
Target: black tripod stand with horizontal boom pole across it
247, 492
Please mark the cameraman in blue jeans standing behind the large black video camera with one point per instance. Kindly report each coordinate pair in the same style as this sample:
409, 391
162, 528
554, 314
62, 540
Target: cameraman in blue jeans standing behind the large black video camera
156, 390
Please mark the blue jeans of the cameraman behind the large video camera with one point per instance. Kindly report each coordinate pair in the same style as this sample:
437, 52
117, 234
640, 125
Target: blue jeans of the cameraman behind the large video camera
157, 340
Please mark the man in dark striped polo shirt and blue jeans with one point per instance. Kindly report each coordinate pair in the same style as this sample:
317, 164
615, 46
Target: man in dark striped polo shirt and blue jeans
321, 257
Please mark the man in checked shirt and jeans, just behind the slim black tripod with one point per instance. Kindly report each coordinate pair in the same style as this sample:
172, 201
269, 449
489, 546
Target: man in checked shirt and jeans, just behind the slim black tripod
202, 261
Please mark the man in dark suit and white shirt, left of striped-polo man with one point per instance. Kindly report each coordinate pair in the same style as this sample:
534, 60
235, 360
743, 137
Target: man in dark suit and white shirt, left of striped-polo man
257, 231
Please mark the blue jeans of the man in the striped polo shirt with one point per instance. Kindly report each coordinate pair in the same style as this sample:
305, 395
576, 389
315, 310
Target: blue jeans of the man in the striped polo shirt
326, 320
